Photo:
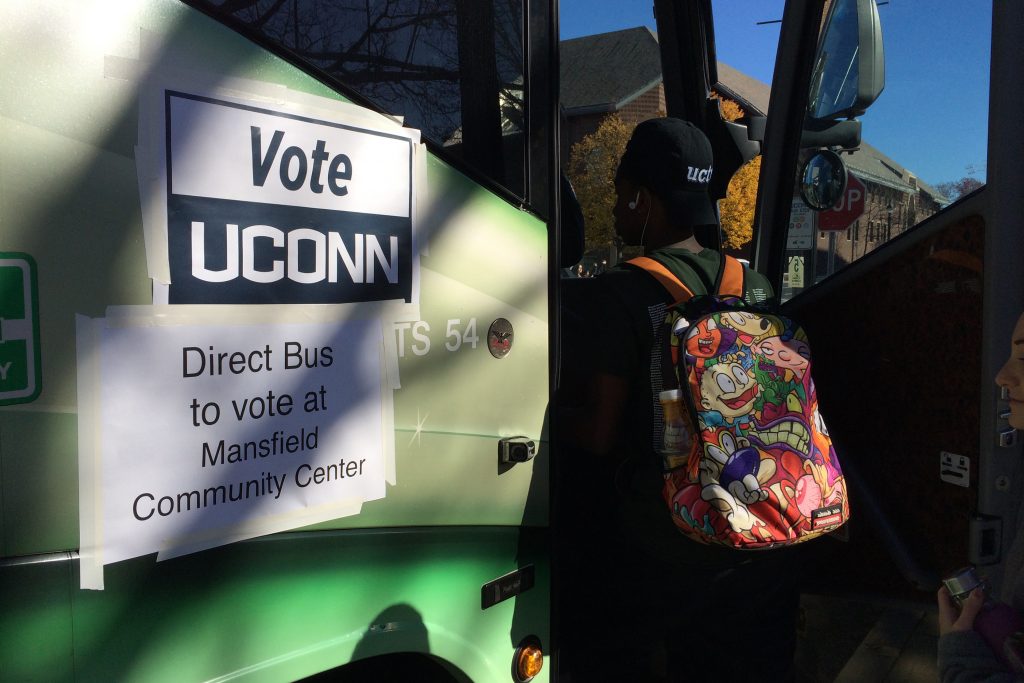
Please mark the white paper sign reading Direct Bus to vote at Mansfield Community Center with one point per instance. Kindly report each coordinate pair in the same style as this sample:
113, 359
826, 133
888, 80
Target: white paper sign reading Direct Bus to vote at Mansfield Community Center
205, 435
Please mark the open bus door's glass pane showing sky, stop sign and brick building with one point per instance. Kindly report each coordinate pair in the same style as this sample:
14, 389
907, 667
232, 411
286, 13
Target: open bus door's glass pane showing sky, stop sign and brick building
923, 143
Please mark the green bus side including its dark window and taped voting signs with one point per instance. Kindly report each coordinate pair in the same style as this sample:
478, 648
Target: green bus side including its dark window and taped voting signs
372, 343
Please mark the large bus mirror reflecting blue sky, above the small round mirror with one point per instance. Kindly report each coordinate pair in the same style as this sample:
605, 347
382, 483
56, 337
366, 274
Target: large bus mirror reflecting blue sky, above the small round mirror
849, 69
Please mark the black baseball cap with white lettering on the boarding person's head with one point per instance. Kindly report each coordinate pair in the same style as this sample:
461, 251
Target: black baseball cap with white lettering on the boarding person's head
673, 159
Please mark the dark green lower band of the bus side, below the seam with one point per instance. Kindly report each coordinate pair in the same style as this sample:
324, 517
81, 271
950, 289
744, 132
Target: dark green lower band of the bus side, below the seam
275, 610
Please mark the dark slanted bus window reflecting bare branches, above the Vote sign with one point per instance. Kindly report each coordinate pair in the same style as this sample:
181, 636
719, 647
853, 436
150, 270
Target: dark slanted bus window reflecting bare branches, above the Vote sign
452, 69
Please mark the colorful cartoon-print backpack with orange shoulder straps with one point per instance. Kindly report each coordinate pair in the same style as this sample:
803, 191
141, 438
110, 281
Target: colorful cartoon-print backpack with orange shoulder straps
748, 460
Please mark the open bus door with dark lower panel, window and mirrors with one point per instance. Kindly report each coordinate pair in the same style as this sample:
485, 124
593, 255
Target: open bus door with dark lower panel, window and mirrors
908, 277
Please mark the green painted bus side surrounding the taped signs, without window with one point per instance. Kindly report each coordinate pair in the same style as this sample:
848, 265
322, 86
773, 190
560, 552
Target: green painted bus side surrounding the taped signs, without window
406, 574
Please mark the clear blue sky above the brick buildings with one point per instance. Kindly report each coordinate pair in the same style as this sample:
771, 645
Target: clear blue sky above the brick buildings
931, 118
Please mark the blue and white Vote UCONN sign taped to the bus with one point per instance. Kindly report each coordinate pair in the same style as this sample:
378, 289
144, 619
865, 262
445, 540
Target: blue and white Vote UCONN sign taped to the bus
273, 207
